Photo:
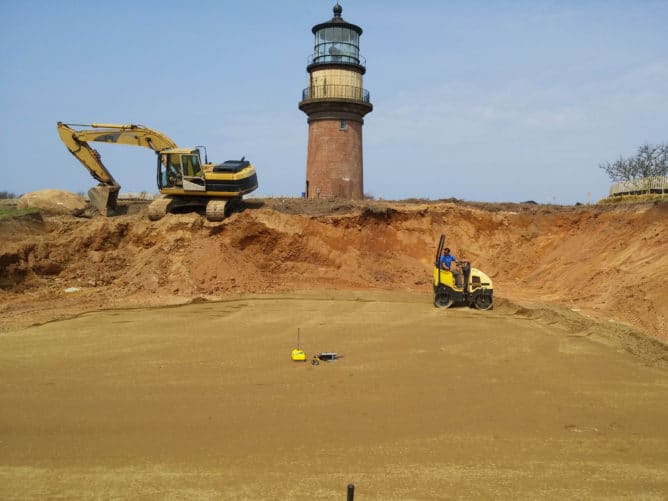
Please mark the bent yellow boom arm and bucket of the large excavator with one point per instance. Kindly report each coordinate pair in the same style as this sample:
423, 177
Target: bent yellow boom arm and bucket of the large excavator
104, 196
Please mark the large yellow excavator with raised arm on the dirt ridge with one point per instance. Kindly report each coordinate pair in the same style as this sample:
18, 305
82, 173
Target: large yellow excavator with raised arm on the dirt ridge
183, 179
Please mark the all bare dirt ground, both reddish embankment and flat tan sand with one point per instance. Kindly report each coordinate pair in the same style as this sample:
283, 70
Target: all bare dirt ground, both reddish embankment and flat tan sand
560, 391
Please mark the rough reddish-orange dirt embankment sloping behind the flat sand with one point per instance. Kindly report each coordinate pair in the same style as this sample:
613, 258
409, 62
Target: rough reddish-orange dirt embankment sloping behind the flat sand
606, 262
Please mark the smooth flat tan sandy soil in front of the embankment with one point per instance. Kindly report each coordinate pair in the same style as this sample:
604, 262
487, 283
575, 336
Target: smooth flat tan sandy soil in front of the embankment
203, 402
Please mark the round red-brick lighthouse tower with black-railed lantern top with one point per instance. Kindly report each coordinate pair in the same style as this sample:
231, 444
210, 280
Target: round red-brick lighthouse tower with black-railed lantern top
335, 102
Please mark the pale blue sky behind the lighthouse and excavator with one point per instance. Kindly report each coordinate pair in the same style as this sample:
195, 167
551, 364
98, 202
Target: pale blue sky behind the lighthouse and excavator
478, 100
